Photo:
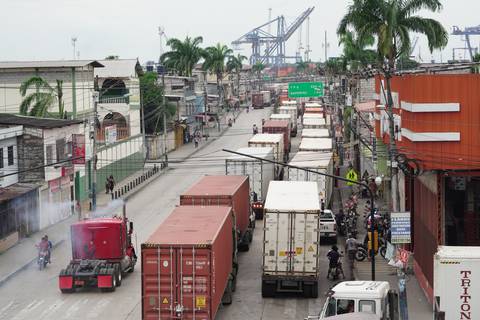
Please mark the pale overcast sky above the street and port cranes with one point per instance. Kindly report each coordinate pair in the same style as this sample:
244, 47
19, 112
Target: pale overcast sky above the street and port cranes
42, 29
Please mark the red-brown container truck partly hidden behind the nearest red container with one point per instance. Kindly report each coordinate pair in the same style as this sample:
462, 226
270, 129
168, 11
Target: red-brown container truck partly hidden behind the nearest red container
230, 191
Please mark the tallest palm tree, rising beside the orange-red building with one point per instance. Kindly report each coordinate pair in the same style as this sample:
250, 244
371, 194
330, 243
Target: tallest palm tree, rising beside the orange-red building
390, 22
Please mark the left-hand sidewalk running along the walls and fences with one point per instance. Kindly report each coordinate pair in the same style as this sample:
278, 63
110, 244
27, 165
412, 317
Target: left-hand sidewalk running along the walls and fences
20, 256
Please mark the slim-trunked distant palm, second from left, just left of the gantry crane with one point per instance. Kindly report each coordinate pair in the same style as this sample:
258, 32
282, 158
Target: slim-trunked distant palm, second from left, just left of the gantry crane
215, 63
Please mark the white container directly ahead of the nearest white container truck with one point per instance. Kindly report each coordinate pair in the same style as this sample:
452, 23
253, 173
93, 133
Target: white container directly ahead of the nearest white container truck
316, 161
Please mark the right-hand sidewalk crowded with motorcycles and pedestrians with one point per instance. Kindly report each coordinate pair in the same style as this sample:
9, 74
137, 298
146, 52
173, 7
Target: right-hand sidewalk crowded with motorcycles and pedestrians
418, 306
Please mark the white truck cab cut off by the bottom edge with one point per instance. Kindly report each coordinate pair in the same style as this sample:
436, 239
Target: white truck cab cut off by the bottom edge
372, 297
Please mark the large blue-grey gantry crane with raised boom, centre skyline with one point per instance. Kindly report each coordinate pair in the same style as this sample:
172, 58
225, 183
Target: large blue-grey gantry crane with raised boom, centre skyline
268, 48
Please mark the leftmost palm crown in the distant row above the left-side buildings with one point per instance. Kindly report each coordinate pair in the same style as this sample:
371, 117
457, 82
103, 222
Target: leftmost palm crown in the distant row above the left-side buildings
184, 55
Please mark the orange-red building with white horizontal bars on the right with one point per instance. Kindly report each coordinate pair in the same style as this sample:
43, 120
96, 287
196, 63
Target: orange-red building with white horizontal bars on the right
437, 124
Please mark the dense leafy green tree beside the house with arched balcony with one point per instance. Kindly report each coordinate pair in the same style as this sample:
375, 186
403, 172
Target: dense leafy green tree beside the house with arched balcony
152, 99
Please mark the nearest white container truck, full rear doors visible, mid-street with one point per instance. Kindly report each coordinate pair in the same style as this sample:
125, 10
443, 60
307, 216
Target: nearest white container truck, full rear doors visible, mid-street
291, 239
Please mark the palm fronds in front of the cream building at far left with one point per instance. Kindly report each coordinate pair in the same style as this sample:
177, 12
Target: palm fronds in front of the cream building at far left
42, 99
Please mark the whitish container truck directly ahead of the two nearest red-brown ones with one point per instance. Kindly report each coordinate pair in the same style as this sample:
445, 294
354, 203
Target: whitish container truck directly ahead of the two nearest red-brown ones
259, 173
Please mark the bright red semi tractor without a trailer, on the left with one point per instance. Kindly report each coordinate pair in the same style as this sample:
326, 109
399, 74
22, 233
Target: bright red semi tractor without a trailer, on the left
102, 253
